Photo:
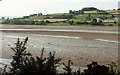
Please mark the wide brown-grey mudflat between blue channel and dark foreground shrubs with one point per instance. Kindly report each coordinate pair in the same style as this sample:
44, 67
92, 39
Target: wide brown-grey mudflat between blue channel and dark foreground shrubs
80, 47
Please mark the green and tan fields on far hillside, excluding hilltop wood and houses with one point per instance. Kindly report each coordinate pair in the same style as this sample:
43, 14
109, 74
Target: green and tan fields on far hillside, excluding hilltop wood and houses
67, 18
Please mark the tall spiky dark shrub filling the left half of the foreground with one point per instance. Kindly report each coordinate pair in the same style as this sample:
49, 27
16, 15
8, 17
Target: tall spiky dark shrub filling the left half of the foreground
24, 64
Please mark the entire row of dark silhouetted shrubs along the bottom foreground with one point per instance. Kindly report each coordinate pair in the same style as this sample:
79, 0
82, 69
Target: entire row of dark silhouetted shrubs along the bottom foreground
25, 64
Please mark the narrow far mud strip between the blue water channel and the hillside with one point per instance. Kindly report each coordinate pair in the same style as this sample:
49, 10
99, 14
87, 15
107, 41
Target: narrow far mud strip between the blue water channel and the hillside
75, 27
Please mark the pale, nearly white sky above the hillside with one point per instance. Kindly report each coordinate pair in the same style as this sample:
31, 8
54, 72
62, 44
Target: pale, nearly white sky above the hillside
26, 7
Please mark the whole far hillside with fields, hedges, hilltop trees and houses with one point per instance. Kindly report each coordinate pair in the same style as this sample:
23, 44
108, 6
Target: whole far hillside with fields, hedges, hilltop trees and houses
84, 16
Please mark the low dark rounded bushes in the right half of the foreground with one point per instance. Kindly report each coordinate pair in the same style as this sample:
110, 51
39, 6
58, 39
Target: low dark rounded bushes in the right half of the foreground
93, 69
